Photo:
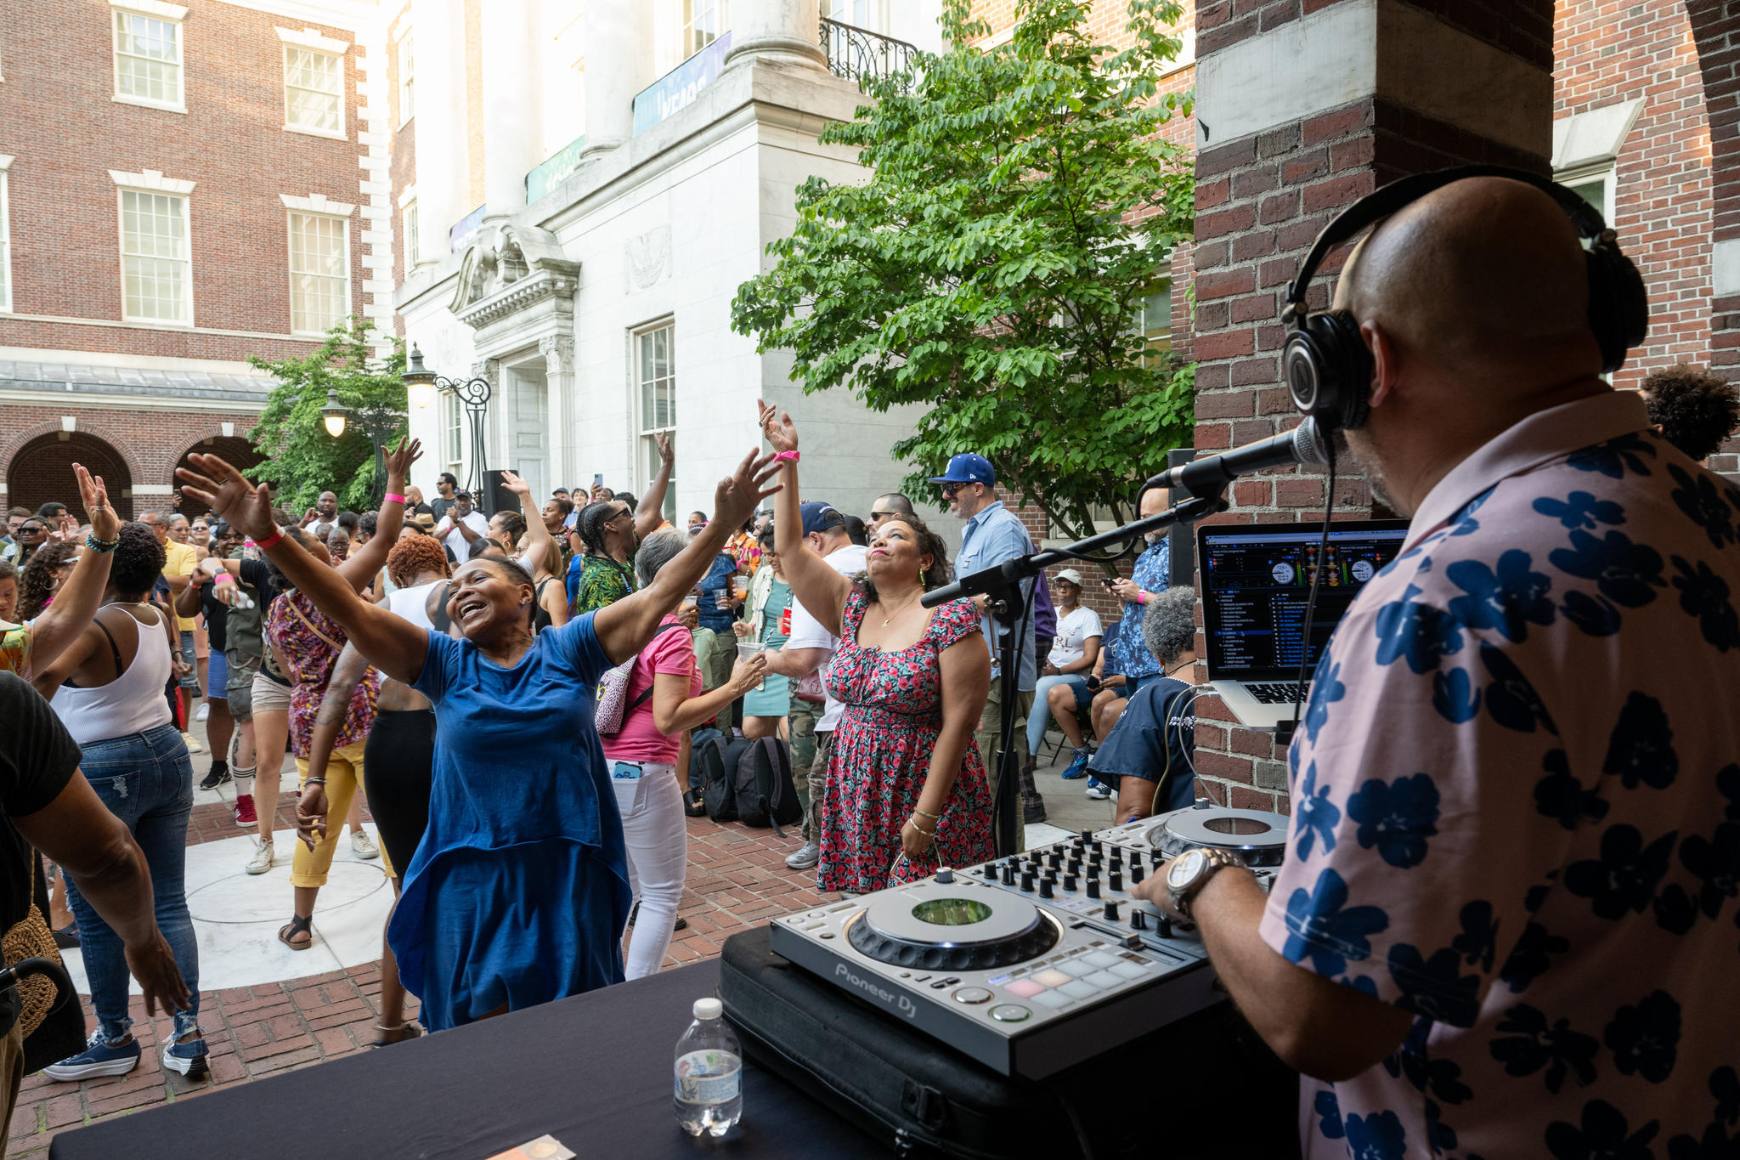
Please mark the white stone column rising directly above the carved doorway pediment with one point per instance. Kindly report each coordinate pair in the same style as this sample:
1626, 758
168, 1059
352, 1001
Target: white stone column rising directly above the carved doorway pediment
511, 105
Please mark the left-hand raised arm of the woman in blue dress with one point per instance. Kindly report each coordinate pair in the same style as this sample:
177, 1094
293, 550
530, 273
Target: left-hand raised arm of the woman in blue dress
391, 643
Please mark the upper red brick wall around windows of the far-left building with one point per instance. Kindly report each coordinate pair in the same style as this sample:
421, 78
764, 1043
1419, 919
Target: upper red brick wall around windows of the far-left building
60, 123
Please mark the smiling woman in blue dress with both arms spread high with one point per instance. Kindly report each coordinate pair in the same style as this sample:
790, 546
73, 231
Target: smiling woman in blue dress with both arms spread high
519, 891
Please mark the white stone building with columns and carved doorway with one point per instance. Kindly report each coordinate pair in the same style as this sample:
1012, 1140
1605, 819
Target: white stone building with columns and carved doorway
591, 185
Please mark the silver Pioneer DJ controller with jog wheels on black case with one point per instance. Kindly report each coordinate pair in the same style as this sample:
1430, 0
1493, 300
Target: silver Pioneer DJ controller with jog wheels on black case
1038, 961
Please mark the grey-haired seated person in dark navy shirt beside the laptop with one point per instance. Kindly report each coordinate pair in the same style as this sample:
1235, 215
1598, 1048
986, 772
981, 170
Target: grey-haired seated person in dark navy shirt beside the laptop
1148, 757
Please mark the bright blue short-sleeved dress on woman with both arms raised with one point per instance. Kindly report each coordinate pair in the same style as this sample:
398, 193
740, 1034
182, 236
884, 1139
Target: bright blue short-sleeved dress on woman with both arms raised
519, 891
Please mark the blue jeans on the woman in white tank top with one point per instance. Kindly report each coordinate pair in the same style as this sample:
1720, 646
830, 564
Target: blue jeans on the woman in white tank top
145, 780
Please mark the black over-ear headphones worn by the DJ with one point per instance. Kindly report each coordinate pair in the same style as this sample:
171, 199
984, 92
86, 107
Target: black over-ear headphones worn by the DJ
1327, 364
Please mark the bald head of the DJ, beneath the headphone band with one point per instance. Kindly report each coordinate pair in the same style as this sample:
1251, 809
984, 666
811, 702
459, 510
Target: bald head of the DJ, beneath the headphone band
1483, 276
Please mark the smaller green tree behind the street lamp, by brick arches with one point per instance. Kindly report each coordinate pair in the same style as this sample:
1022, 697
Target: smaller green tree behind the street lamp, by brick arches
302, 460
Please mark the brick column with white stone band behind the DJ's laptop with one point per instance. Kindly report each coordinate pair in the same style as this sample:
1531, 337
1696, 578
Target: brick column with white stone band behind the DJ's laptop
1302, 109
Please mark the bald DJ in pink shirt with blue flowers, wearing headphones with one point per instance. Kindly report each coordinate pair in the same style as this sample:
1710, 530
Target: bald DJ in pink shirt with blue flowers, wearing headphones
1508, 921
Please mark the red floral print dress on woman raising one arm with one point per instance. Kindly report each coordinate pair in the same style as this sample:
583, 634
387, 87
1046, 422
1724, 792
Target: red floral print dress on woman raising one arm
883, 754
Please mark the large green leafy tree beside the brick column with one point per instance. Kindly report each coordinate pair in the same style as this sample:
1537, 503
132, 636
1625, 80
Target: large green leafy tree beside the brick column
1021, 204
